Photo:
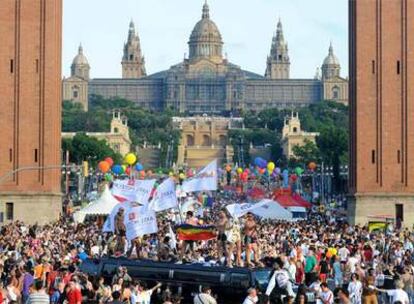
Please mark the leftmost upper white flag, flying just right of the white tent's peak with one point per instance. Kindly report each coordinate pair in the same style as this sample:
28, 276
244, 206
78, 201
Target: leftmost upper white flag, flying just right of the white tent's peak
137, 191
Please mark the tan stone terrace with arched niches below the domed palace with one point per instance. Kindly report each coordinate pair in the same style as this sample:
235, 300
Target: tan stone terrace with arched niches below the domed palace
204, 139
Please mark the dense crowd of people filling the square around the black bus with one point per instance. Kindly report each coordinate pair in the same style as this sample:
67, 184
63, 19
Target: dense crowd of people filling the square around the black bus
319, 260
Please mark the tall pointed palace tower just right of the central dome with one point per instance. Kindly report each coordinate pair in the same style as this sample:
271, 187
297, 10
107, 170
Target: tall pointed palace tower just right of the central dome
278, 62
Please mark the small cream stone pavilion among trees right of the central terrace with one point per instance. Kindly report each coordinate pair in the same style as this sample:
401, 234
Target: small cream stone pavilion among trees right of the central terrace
293, 135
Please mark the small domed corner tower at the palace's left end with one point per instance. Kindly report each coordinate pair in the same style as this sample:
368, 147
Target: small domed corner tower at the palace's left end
75, 88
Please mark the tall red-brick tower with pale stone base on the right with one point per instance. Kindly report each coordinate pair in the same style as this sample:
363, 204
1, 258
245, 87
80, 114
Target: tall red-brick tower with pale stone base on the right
382, 110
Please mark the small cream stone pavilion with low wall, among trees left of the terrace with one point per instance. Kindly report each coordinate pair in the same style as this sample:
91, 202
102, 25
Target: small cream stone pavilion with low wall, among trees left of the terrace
117, 138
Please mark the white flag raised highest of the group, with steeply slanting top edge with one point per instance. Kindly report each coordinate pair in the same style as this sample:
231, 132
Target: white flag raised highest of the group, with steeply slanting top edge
205, 180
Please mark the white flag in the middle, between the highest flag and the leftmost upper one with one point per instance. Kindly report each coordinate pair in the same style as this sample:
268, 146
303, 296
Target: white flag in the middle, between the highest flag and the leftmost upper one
165, 197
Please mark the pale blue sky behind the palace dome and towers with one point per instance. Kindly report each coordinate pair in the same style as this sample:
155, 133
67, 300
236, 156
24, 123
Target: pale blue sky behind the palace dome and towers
164, 27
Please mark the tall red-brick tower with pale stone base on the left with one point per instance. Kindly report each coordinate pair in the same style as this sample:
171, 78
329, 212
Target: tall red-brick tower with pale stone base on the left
30, 110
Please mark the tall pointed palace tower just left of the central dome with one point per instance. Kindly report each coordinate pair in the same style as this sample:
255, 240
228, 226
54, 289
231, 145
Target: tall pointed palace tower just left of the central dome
133, 63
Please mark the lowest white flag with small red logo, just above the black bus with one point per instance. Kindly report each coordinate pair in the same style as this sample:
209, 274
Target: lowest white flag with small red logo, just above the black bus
140, 221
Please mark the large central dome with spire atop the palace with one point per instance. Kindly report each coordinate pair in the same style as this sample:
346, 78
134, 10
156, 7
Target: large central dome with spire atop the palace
205, 40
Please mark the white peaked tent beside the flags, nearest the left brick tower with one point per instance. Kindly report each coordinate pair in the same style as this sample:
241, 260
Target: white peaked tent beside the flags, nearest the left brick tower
102, 206
